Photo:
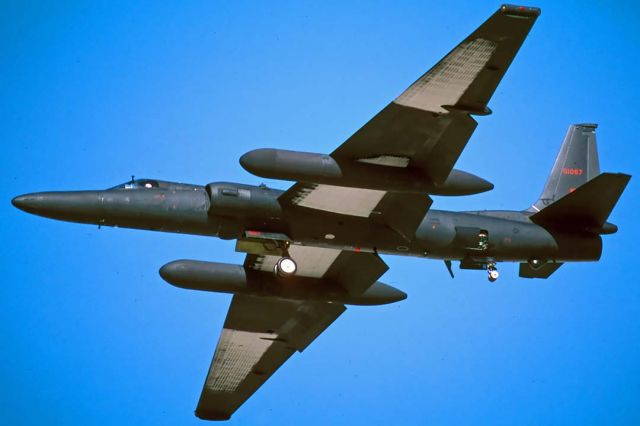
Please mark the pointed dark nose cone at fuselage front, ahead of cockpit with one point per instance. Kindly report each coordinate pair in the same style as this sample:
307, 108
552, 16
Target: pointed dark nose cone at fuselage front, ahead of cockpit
75, 206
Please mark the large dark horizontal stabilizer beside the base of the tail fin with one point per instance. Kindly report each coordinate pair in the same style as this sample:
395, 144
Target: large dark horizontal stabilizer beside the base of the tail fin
588, 206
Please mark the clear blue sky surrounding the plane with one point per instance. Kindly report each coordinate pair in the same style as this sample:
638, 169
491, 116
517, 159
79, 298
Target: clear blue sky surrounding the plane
94, 92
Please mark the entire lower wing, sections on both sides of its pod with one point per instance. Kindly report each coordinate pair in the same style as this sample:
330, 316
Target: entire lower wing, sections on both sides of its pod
261, 333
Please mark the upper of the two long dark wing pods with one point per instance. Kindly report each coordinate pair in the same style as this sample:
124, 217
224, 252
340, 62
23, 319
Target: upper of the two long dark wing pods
384, 172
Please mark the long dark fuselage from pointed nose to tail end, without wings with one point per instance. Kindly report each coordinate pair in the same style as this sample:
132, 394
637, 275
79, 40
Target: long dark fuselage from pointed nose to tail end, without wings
229, 210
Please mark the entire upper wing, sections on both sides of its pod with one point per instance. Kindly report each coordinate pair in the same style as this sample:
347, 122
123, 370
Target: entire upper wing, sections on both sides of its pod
426, 127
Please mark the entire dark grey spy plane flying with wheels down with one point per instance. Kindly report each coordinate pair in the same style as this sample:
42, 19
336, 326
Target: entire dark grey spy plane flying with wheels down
315, 247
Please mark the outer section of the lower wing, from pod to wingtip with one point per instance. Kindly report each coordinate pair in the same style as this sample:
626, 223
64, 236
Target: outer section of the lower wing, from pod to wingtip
259, 335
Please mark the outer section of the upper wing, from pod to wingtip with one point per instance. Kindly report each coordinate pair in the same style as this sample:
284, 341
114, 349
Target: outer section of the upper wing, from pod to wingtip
429, 124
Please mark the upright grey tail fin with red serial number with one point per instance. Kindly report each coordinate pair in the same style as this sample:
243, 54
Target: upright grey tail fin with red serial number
576, 164
